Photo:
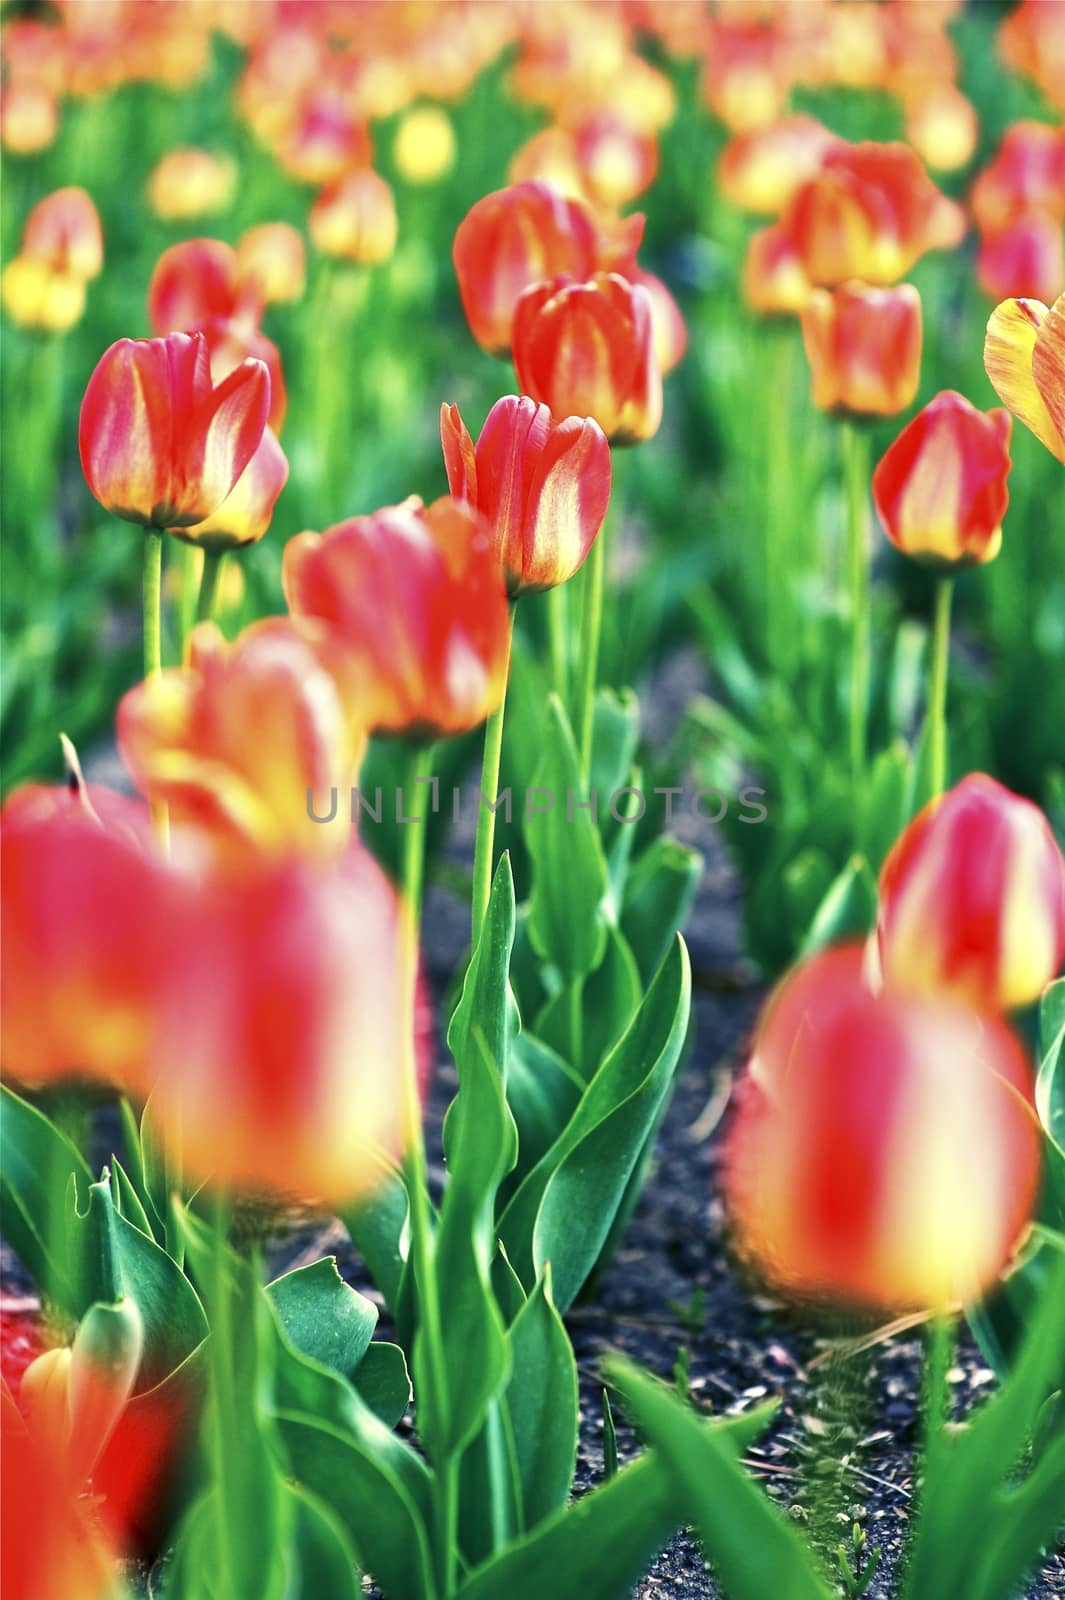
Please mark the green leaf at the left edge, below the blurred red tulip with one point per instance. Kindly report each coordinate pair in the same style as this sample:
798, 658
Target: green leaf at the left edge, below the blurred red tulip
38, 1166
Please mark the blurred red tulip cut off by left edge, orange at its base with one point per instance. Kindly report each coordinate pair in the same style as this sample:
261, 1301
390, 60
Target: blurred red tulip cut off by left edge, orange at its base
84, 913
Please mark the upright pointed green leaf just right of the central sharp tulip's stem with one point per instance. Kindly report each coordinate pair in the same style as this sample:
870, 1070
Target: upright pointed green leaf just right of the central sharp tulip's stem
567, 913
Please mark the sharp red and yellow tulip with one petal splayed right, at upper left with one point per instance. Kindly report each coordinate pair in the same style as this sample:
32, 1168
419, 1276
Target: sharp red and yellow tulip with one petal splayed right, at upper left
161, 444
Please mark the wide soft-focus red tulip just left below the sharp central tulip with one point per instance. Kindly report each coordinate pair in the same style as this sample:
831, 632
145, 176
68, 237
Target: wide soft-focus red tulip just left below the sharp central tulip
413, 601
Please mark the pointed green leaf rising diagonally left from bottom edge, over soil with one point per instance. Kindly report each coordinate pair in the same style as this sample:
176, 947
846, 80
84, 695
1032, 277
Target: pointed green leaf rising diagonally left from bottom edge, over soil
752, 1550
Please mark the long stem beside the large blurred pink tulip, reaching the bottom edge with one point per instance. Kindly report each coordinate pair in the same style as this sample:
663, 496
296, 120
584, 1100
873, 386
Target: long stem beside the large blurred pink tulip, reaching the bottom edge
433, 1374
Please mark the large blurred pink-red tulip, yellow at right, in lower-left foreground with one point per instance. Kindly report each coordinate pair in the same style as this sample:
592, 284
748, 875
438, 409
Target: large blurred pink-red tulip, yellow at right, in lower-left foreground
287, 1078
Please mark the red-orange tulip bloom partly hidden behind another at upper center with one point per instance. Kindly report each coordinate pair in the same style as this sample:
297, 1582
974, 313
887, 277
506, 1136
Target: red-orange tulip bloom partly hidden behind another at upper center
511, 241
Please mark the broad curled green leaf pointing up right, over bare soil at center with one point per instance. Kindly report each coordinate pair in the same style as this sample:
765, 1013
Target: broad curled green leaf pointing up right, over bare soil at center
565, 1209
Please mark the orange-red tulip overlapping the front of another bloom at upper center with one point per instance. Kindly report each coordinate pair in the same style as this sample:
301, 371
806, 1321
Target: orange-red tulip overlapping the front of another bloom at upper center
589, 350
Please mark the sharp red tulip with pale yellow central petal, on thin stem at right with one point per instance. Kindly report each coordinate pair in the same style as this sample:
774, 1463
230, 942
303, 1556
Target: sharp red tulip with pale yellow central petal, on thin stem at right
941, 489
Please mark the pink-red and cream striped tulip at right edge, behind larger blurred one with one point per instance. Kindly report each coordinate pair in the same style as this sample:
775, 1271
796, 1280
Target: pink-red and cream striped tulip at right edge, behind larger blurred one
973, 900
